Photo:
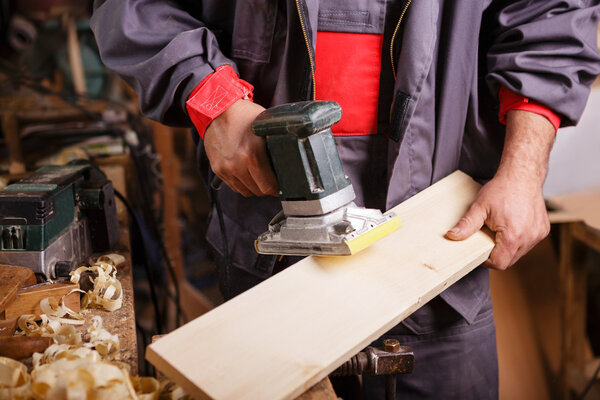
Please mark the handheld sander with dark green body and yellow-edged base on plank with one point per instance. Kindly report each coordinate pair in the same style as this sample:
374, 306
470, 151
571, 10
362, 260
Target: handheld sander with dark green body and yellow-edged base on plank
319, 216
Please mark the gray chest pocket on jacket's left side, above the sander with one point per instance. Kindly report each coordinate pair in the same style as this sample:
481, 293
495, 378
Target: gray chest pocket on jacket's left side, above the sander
254, 29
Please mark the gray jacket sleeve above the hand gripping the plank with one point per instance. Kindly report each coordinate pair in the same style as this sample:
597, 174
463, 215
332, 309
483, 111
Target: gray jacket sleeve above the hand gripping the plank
547, 50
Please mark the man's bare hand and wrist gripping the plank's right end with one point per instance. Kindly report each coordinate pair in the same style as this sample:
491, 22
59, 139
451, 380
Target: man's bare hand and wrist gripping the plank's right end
512, 203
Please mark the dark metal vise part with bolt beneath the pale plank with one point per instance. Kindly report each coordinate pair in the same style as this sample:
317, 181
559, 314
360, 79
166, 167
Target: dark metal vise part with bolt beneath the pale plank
392, 360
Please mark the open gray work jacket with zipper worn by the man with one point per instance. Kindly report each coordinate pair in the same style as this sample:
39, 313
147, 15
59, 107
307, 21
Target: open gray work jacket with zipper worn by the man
452, 56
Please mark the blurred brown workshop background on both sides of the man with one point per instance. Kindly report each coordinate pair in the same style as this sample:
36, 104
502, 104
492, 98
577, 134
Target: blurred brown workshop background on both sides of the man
59, 103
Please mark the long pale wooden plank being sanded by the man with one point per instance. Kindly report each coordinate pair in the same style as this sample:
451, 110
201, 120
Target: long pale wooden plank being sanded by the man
281, 337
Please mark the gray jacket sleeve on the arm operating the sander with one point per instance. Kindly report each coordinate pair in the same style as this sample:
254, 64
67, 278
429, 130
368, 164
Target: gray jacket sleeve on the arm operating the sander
159, 49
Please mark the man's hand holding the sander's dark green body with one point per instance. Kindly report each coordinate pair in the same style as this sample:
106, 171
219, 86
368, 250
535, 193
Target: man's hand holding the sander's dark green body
238, 156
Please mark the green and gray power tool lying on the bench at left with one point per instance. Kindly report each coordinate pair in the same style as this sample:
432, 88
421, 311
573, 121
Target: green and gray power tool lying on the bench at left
56, 217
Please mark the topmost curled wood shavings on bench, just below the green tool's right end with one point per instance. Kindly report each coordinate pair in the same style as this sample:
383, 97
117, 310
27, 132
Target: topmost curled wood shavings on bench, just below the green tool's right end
107, 292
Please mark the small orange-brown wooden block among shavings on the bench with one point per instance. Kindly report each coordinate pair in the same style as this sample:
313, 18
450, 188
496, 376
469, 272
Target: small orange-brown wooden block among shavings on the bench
28, 299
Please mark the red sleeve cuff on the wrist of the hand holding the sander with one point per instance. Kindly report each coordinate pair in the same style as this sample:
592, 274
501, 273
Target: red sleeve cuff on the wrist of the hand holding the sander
214, 95
